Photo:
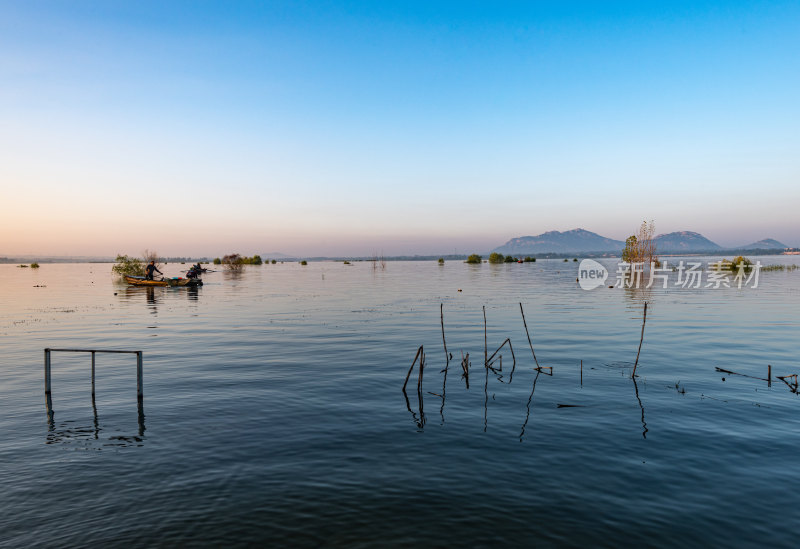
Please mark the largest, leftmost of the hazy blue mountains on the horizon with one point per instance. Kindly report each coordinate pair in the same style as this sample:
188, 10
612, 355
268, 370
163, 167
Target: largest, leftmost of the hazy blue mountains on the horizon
574, 241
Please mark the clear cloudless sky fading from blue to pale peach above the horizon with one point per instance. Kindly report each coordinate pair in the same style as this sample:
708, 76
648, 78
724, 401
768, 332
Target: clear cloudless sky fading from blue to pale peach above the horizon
325, 128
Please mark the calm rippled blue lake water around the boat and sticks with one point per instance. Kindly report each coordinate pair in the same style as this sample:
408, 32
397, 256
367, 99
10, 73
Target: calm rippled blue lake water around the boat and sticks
273, 411
